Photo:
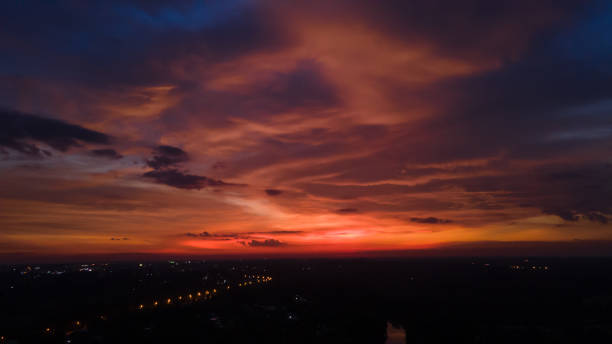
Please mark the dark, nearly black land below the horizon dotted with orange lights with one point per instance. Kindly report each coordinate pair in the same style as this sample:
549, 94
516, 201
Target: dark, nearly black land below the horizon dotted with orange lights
534, 300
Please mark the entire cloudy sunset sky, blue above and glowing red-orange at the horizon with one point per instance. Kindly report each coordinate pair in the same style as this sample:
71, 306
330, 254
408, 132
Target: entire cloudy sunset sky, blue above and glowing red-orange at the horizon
292, 128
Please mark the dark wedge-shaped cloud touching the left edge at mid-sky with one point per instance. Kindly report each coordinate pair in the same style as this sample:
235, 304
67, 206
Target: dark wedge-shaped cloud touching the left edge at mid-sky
22, 132
